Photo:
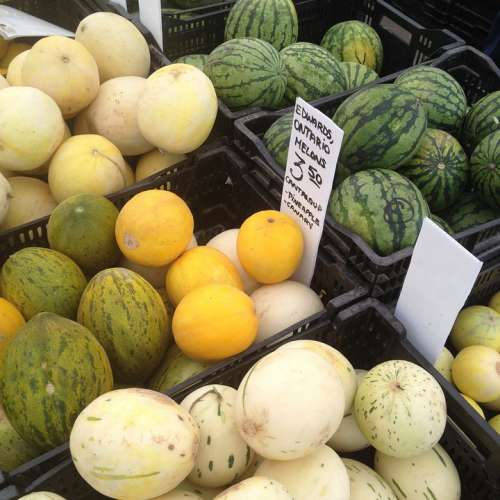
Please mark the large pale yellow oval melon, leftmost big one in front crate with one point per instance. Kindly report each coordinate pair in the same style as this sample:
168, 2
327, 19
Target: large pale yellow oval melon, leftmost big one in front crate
111, 451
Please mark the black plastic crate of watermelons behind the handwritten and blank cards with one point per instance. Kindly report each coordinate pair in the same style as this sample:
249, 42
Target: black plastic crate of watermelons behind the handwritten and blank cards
385, 275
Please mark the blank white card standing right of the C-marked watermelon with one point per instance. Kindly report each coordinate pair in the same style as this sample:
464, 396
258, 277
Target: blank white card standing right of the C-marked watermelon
439, 280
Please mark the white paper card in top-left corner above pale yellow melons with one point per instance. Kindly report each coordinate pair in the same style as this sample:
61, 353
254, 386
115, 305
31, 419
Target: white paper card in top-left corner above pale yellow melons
16, 24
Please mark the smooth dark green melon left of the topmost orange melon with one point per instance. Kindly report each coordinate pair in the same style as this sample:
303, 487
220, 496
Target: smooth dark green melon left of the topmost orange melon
83, 228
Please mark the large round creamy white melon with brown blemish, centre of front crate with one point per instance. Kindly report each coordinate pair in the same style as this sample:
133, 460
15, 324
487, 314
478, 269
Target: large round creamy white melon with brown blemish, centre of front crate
273, 396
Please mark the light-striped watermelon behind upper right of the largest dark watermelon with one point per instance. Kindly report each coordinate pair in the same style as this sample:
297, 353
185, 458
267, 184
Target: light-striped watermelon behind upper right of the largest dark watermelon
441, 95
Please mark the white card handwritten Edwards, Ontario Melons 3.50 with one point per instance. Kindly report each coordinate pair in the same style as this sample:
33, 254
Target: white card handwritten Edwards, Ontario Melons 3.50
312, 160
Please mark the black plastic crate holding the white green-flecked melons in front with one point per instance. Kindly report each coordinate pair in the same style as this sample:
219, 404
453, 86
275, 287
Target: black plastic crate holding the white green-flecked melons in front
367, 334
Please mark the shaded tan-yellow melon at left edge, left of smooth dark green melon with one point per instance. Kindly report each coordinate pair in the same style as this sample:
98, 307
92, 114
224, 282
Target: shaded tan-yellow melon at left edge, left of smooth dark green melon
30, 199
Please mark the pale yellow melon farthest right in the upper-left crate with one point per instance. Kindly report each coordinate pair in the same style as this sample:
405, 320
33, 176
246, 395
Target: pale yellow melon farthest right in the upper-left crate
177, 109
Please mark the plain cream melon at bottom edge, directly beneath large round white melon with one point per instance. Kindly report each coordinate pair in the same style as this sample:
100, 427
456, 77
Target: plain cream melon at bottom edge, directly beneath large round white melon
319, 475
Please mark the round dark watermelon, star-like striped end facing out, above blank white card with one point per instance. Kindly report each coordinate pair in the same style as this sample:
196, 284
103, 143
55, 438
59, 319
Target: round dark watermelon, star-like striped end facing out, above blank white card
439, 169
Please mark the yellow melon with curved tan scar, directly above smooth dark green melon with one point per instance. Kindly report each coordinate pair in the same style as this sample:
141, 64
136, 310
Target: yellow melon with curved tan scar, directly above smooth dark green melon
87, 164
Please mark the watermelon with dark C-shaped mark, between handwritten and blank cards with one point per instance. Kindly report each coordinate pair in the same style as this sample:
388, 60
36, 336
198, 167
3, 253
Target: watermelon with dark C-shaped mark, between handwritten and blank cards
382, 207
